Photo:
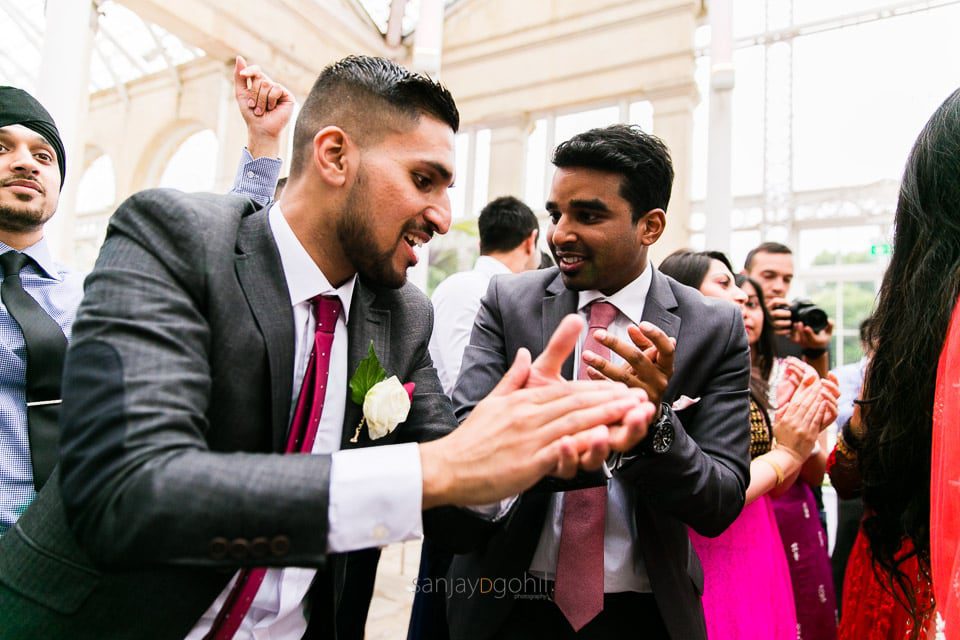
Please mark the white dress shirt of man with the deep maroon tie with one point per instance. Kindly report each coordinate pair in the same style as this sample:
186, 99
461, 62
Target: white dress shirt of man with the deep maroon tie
375, 492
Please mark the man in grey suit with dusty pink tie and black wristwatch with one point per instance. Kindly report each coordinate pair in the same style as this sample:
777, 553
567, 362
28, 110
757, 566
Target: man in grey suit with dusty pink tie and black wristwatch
607, 206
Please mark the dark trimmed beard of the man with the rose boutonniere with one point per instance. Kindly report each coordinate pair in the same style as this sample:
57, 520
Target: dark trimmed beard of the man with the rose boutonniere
355, 231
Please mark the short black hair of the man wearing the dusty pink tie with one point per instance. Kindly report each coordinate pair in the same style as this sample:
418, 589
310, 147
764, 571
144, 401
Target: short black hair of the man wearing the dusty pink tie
641, 159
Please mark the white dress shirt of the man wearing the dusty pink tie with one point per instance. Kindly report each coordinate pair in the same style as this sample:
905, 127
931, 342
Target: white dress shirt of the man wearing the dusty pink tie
623, 567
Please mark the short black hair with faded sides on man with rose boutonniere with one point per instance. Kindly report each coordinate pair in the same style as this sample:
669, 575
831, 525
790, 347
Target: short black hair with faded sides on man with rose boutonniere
368, 97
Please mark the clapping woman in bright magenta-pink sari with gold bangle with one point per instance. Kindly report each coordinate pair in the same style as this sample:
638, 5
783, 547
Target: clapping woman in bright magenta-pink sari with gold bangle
747, 590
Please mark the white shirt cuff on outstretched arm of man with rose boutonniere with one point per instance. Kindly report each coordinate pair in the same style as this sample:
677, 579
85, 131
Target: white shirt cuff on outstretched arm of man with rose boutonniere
376, 497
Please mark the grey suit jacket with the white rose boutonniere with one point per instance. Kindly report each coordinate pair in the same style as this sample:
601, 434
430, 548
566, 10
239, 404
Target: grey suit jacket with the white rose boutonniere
177, 393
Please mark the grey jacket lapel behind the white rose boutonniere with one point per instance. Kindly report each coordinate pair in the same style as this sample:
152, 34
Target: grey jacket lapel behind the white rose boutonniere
367, 323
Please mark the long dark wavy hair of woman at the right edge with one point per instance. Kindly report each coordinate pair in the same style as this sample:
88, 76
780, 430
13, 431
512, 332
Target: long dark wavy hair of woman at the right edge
908, 330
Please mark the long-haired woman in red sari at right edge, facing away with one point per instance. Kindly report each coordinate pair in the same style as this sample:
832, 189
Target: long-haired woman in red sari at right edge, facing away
905, 442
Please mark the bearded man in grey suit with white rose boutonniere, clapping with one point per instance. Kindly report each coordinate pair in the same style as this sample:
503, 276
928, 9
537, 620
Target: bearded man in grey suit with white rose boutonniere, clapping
207, 323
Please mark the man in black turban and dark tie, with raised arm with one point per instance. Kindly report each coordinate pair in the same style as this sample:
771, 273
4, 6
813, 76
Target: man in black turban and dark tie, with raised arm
39, 292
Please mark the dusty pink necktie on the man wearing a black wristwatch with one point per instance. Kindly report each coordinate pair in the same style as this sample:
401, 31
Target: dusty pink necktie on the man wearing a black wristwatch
579, 586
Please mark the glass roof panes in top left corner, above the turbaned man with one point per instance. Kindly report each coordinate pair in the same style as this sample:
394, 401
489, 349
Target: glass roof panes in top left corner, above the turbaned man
125, 47
